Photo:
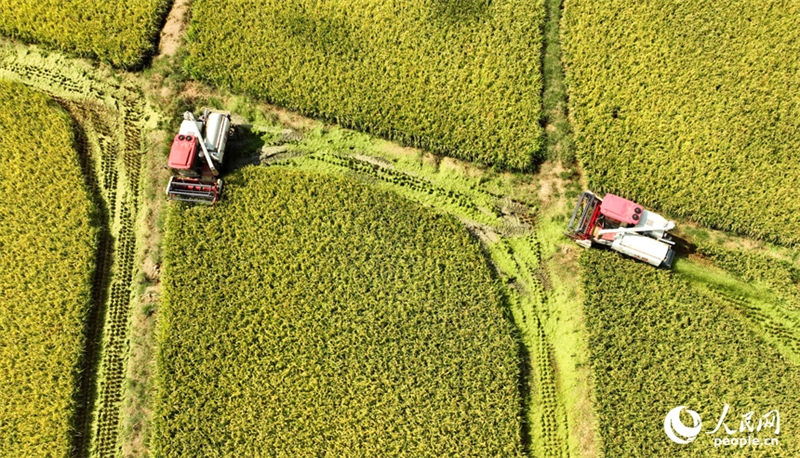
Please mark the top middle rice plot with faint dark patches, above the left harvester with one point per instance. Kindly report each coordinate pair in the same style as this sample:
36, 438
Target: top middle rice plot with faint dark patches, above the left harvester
461, 78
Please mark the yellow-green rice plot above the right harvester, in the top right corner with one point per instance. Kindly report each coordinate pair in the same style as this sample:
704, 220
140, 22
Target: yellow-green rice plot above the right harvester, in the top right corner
690, 108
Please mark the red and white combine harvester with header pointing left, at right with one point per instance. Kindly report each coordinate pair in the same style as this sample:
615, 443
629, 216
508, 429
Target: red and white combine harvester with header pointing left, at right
623, 226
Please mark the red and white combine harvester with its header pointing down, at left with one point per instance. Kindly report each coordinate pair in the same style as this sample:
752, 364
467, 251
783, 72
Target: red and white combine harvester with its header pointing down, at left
196, 156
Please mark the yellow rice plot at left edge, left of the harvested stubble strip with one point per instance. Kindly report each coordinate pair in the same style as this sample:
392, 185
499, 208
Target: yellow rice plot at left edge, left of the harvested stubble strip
48, 243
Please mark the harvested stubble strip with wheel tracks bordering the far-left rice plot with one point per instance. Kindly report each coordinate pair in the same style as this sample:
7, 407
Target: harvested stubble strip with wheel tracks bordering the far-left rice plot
109, 117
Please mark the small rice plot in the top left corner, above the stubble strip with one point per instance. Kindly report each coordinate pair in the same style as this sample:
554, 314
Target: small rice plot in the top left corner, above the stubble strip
116, 31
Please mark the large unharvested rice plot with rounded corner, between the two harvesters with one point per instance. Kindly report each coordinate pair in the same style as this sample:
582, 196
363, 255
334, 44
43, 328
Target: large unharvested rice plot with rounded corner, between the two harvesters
312, 316
